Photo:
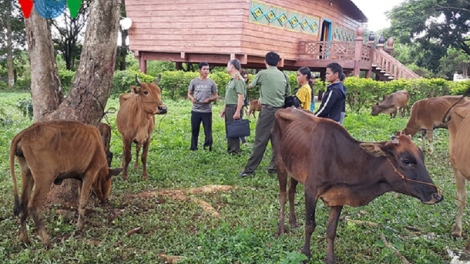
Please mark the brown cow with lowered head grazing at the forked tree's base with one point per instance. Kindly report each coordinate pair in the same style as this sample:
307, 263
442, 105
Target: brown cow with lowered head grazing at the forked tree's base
49, 152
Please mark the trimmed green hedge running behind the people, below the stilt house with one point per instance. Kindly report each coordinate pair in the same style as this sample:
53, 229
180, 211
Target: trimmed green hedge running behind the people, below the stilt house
362, 93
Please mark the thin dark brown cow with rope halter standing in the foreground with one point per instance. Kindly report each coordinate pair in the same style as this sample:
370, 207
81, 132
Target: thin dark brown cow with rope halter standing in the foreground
340, 170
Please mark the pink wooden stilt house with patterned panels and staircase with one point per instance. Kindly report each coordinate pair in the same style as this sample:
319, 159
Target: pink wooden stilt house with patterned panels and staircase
309, 33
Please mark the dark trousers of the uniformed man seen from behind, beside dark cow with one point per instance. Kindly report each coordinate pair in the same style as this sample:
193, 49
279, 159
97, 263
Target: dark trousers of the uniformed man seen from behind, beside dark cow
262, 136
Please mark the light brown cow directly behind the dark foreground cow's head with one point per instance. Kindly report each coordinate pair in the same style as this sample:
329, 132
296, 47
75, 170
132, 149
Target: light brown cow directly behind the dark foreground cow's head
427, 115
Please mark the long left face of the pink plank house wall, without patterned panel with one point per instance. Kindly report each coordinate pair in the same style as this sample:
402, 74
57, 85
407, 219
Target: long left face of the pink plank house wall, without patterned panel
203, 26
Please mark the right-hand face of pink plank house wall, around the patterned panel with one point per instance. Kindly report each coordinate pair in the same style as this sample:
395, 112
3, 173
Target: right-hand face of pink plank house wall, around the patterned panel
259, 39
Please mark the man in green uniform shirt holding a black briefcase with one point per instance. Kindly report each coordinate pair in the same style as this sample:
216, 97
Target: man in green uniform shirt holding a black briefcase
234, 100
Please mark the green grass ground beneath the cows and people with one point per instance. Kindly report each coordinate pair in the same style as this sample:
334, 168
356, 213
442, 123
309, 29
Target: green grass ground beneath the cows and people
244, 230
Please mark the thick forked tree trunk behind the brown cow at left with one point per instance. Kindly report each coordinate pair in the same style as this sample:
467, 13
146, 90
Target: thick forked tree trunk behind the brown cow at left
93, 80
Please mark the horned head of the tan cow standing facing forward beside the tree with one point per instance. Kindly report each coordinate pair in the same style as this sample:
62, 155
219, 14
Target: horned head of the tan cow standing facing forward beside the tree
150, 96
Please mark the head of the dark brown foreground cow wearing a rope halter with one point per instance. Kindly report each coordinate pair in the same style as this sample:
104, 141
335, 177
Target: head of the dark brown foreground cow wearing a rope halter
404, 168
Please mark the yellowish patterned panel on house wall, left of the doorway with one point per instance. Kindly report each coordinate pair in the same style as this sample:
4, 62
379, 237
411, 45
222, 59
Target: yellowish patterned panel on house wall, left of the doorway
270, 15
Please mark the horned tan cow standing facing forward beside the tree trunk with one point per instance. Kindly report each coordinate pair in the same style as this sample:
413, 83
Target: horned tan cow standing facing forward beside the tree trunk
136, 120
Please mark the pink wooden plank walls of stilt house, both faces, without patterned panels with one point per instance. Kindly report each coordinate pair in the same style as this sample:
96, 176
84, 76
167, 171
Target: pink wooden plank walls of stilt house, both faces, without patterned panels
222, 26
